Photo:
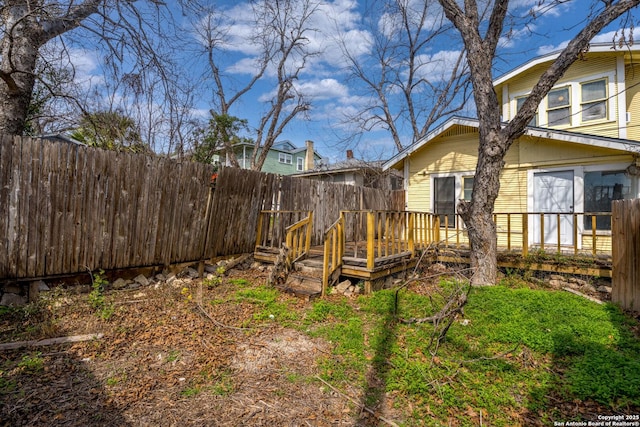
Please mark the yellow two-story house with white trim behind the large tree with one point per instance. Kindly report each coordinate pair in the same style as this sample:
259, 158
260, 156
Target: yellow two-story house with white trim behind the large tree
581, 151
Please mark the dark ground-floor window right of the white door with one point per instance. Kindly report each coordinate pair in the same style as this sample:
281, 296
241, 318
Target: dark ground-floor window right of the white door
600, 189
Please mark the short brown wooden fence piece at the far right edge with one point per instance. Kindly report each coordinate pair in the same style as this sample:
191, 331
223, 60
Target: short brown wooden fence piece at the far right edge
625, 232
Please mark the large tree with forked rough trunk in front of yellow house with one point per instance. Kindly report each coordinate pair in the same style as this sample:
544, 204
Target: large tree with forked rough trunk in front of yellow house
481, 40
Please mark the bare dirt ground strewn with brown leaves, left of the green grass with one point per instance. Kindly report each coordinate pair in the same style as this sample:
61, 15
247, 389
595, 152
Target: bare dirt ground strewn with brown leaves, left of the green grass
164, 361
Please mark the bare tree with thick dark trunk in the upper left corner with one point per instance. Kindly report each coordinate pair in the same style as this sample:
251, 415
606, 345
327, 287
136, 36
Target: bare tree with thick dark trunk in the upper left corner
134, 42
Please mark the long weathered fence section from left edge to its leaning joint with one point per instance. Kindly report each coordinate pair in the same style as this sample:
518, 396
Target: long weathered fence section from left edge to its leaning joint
66, 208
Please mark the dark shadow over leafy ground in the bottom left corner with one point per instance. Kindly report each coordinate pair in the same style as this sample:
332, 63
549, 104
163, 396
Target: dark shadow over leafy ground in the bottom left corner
51, 385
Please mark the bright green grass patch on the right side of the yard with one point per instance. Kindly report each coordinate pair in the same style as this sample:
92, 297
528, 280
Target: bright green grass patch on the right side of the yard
517, 348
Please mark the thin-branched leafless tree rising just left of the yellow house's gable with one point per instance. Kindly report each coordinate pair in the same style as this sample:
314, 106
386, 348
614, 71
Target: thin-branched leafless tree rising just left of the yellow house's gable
407, 88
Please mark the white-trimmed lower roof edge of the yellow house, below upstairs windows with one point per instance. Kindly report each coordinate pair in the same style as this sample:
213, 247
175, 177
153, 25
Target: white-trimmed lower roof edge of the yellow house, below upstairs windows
558, 135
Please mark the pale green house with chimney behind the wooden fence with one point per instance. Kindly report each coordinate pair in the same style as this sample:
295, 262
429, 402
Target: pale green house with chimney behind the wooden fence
283, 158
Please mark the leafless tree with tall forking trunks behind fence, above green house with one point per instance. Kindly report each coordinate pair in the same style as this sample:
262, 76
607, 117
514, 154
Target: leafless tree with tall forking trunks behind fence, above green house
280, 35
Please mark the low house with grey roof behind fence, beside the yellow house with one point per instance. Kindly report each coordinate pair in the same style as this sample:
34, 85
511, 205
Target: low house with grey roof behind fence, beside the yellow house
352, 171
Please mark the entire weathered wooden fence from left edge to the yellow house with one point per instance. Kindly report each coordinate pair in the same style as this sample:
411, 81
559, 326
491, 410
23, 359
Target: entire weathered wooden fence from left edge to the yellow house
66, 208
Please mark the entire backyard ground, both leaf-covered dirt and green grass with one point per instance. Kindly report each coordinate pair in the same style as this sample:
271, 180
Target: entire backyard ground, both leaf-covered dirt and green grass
204, 352
